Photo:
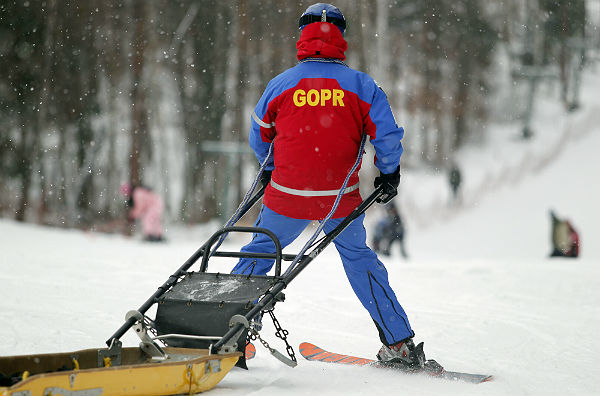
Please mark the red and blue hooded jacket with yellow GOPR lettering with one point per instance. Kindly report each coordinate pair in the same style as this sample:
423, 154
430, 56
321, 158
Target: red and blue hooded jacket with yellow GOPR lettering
316, 114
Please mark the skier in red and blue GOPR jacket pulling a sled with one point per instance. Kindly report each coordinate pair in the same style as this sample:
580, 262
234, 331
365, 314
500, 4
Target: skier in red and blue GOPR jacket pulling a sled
316, 114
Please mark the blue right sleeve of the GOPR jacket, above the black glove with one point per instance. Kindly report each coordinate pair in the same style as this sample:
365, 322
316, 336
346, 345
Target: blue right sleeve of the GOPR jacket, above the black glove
388, 135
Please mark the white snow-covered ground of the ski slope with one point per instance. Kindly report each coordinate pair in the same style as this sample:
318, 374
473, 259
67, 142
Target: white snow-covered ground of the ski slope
478, 287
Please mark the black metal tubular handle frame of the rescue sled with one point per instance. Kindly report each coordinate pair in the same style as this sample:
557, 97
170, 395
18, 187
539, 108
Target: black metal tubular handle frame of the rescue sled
239, 323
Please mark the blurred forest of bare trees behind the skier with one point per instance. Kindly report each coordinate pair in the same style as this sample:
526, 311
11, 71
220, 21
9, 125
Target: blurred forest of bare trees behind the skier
159, 93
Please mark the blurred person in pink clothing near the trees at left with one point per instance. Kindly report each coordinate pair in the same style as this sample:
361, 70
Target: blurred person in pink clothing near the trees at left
146, 206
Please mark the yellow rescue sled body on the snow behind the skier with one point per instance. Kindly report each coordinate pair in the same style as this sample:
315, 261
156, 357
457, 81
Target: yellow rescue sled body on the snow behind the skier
116, 371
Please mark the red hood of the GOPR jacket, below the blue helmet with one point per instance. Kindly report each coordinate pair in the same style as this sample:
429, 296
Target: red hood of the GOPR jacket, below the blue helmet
321, 40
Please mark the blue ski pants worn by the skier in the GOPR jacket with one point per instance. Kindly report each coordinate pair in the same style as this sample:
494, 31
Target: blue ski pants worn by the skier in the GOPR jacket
367, 275
